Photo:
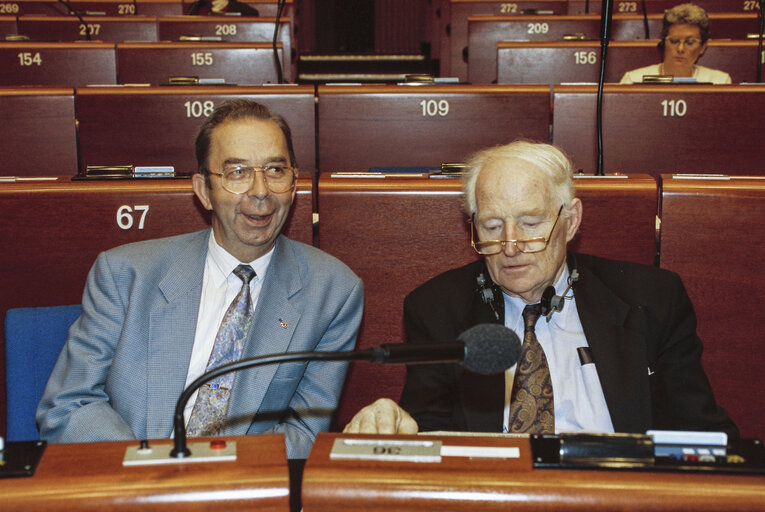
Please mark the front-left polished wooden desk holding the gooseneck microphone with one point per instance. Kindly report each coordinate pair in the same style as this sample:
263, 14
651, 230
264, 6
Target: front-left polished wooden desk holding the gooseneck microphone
90, 476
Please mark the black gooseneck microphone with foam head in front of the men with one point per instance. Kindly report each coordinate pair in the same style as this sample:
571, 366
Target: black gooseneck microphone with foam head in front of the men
484, 348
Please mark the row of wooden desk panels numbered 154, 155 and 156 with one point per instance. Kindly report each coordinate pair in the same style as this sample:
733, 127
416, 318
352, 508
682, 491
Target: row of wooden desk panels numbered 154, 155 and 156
528, 62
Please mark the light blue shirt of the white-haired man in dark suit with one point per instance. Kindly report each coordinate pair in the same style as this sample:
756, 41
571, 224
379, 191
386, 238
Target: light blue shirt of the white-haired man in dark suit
578, 395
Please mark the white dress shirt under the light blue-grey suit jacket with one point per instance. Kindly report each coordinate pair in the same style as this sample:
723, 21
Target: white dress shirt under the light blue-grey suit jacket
219, 288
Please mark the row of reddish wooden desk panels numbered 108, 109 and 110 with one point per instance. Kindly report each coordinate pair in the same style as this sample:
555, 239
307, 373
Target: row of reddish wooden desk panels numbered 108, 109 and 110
650, 129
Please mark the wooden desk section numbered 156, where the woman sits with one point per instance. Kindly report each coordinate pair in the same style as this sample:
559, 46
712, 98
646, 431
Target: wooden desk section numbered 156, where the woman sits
556, 62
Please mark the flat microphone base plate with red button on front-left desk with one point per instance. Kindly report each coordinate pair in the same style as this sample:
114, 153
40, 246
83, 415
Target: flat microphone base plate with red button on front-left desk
212, 450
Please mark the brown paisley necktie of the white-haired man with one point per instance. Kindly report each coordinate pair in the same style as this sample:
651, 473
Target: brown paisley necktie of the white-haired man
531, 400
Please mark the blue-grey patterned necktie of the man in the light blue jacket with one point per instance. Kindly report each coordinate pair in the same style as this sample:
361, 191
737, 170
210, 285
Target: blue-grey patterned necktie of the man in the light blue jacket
209, 412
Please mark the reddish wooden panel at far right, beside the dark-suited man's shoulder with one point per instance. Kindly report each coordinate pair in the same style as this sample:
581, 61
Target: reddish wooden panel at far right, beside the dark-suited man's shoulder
708, 238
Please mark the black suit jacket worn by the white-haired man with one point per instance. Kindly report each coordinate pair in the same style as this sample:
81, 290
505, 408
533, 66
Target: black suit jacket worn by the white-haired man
639, 323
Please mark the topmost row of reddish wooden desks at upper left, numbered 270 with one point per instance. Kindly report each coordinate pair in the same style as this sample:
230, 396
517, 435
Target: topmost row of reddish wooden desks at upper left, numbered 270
125, 7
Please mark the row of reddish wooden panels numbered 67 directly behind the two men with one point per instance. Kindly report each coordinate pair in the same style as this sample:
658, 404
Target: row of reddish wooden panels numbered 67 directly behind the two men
421, 232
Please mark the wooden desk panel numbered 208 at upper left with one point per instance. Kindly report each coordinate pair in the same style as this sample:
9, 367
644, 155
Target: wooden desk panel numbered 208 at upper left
230, 29
